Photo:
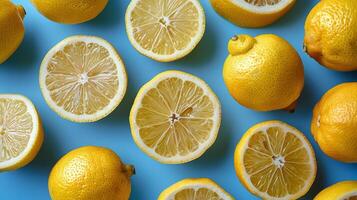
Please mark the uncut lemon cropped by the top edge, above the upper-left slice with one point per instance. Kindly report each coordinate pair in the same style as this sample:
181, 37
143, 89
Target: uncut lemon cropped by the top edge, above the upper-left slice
70, 11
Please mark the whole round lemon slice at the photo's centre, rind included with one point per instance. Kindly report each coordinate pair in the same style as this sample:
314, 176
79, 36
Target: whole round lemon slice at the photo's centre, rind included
175, 117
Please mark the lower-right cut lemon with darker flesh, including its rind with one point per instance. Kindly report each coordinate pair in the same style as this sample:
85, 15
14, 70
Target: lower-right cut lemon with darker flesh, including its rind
274, 160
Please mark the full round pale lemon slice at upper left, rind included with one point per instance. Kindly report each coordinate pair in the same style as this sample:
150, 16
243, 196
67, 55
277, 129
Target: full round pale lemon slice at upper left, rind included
83, 78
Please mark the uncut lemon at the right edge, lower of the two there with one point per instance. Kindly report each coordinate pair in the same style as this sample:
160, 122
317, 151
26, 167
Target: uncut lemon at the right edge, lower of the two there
334, 122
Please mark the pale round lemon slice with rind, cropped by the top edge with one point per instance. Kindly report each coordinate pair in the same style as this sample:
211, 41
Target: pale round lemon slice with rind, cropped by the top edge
165, 30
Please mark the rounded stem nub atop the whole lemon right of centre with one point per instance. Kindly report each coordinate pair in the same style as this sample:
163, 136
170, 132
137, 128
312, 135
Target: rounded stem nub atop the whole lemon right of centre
240, 44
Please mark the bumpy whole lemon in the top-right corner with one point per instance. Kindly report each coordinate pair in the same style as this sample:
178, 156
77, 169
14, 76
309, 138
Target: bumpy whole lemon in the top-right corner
331, 34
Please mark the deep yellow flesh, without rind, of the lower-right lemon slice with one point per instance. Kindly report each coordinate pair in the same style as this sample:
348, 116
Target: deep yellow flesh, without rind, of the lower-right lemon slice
277, 162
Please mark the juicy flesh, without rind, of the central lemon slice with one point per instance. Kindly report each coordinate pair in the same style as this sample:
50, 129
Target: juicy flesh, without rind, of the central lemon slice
175, 118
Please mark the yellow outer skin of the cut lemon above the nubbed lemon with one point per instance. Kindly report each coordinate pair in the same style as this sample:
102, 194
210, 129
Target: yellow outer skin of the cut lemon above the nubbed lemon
246, 18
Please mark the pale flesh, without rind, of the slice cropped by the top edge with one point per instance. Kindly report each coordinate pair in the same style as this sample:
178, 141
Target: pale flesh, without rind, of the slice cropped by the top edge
164, 26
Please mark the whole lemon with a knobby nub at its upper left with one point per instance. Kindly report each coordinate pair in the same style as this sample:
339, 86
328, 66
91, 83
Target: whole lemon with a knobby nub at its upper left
263, 73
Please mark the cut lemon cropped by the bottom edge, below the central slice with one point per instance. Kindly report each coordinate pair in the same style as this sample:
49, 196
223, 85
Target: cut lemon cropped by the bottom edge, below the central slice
195, 189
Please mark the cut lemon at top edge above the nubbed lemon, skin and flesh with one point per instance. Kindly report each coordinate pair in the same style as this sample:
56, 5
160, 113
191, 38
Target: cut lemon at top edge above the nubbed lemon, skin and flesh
252, 13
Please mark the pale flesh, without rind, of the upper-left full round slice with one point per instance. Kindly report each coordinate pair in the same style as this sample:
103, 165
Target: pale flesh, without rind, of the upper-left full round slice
82, 78
